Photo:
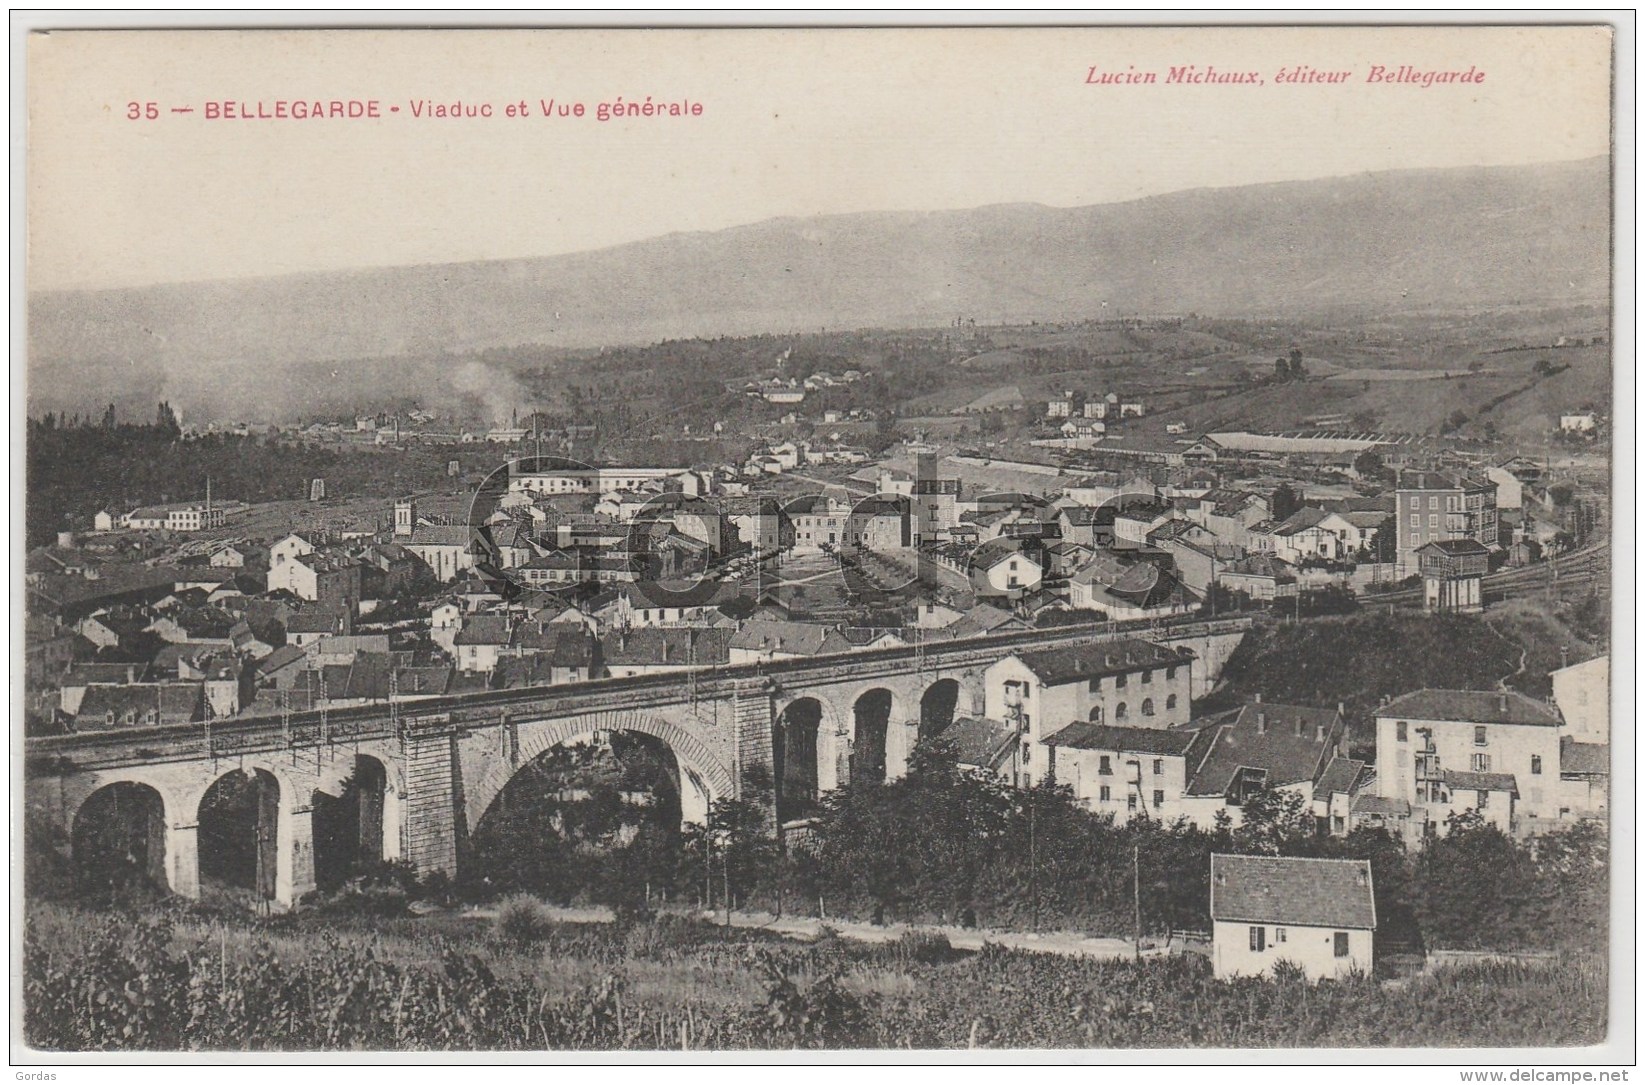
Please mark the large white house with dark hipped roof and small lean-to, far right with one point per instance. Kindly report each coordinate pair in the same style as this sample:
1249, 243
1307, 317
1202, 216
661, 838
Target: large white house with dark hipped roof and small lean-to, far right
1429, 737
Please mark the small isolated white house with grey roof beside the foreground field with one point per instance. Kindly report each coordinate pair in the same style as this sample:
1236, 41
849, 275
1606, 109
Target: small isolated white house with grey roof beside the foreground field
1317, 915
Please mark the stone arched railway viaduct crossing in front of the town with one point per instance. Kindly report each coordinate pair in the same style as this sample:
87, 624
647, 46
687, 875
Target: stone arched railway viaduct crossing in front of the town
414, 780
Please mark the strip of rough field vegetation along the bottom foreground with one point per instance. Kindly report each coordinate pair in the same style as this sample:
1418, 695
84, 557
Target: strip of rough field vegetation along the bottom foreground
308, 984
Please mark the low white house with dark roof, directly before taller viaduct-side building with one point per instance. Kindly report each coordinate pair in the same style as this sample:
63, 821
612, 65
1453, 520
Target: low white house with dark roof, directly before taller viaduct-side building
1126, 772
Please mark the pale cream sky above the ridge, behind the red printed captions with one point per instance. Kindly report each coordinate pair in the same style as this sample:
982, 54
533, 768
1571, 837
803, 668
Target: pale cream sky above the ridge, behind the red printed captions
795, 122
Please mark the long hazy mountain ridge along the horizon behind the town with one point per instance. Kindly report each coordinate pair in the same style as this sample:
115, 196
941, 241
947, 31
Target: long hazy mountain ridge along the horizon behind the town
1383, 242
